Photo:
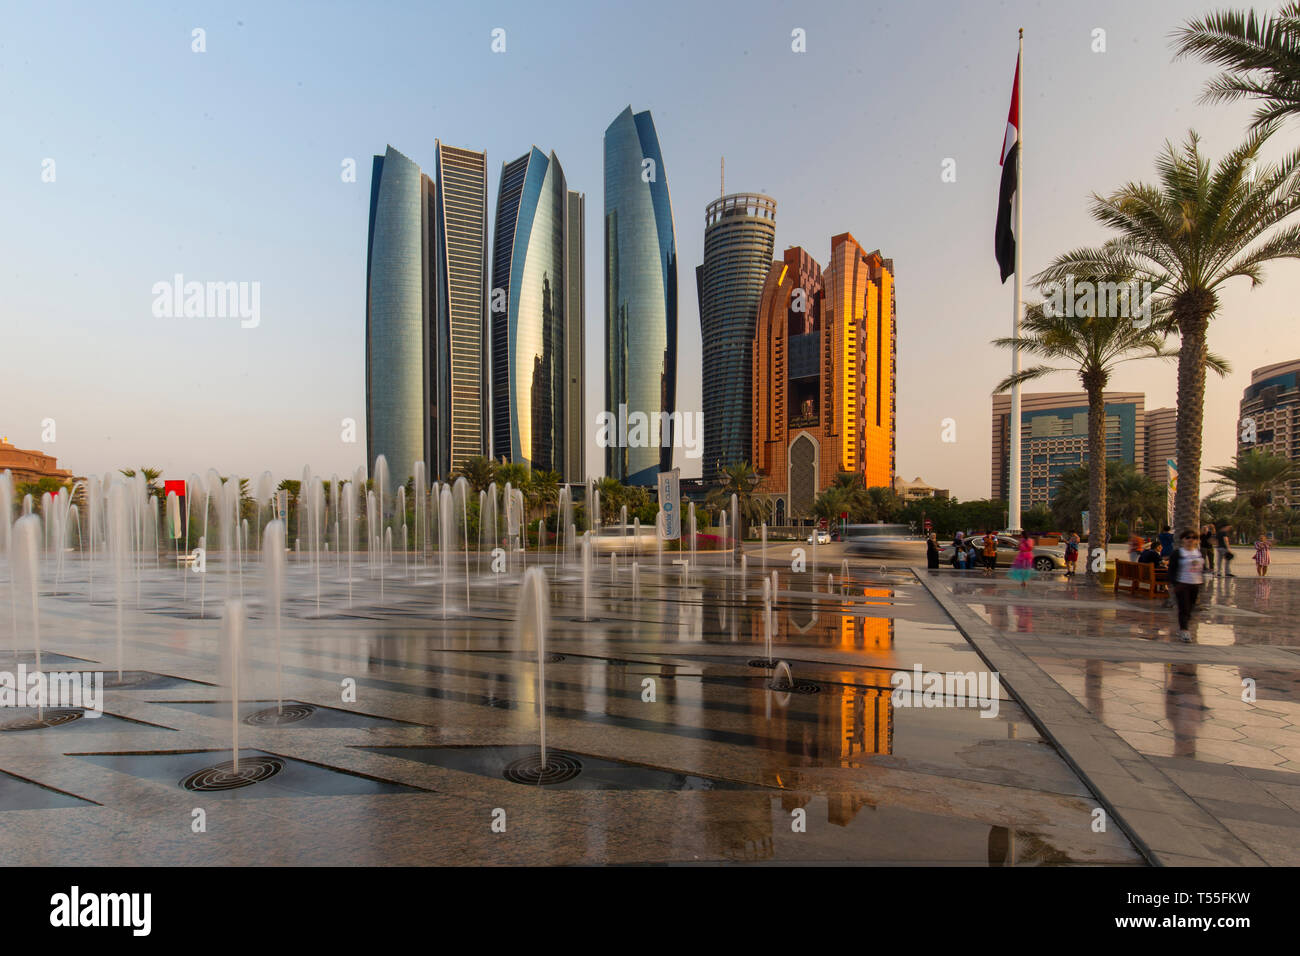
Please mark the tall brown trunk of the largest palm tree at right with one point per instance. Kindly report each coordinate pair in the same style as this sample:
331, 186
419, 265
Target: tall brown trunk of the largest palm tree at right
1193, 312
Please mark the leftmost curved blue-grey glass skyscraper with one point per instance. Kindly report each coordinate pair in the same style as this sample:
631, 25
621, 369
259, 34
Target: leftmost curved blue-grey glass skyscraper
397, 314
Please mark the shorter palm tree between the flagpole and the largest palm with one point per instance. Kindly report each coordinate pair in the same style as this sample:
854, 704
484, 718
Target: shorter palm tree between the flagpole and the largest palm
1091, 347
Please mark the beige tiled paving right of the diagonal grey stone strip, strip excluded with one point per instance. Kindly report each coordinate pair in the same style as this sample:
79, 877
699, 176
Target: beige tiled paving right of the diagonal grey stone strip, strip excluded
1217, 717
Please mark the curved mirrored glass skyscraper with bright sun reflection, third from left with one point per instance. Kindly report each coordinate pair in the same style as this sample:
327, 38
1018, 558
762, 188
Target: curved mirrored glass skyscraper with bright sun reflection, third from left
531, 322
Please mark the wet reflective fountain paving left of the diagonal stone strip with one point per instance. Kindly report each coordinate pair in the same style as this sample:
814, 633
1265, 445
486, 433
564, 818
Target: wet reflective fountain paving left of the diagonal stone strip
404, 715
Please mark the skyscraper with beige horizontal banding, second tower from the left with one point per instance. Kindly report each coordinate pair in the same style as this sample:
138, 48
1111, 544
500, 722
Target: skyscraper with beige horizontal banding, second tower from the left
460, 383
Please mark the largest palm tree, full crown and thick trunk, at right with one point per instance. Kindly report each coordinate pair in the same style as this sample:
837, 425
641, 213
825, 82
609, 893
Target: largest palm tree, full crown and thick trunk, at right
1199, 227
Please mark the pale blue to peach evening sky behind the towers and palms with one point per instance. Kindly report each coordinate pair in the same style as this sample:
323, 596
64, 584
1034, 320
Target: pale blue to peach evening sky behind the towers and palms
227, 166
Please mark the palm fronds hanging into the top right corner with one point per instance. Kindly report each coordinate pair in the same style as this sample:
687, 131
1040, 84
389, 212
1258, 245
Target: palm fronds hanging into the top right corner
1260, 55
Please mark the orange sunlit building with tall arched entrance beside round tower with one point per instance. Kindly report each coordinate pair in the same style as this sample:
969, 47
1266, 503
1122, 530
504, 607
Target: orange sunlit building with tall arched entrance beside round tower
824, 375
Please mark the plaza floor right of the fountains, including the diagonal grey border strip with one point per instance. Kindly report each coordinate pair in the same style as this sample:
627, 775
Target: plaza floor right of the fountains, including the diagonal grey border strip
1194, 747
